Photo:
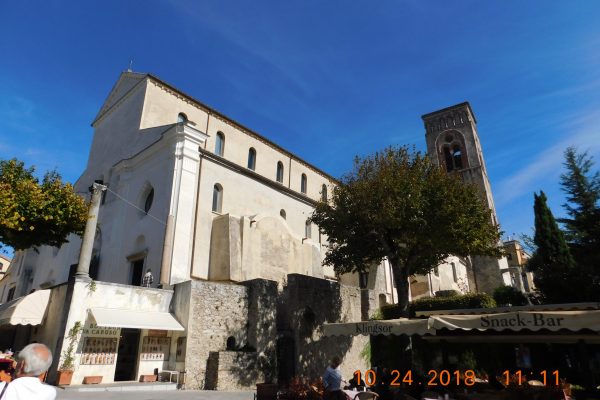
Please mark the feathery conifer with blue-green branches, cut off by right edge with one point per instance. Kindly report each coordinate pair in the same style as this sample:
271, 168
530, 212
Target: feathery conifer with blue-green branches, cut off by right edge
582, 188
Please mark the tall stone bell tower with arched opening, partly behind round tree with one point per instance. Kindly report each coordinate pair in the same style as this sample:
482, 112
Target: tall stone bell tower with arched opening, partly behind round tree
452, 141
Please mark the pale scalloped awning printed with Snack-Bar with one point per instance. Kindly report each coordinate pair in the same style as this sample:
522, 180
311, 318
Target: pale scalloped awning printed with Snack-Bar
523, 320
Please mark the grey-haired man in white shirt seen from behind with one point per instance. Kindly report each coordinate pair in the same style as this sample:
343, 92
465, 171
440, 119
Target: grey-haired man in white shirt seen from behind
34, 361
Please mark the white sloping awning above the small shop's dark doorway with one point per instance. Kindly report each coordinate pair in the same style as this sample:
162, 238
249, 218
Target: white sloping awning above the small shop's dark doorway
111, 317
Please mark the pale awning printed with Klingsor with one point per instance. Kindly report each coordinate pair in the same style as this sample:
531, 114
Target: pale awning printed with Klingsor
402, 326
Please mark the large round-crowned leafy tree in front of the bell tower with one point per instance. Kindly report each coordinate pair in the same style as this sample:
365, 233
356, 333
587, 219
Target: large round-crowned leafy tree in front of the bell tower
397, 204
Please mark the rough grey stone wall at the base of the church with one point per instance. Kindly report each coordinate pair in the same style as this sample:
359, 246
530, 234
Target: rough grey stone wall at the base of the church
278, 332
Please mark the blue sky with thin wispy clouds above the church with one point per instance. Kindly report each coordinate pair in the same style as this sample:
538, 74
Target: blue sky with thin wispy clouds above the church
325, 79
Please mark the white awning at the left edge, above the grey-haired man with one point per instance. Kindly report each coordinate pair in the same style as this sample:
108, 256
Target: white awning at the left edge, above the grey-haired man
26, 310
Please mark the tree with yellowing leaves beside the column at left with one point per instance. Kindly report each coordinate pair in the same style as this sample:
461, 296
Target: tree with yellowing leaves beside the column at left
34, 213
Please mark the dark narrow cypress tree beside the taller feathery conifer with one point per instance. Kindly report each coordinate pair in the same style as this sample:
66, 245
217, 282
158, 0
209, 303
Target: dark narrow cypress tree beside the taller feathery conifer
556, 275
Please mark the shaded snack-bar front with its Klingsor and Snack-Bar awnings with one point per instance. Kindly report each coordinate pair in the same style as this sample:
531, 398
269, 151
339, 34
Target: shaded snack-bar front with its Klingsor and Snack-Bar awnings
551, 344
